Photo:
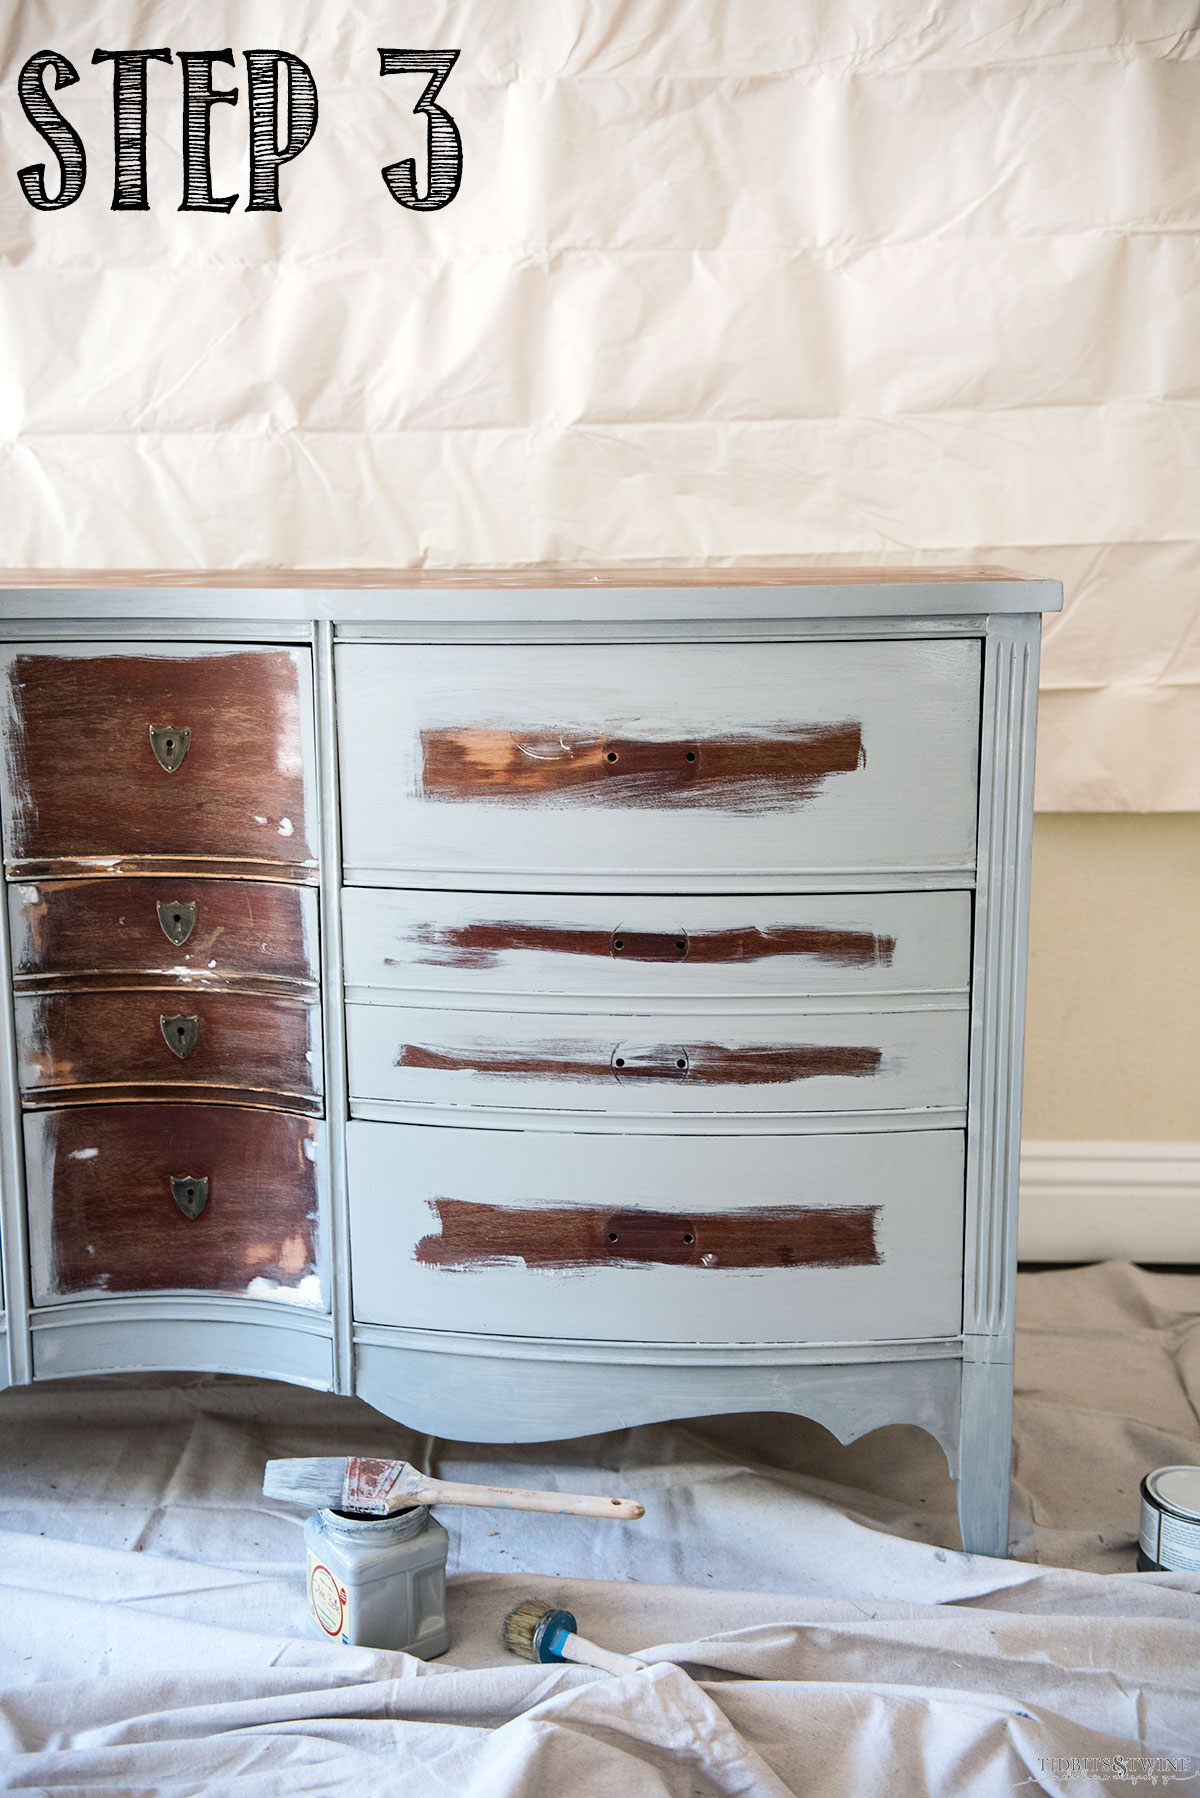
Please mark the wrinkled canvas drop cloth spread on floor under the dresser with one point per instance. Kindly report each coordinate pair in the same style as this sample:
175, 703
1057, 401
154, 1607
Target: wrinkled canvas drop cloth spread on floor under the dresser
810, 1624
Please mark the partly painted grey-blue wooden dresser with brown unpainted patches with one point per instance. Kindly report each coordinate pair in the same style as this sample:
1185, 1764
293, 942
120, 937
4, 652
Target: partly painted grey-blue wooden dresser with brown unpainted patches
537, 1004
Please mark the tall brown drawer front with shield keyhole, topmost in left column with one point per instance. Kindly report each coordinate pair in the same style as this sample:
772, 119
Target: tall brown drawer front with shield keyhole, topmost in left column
161, 754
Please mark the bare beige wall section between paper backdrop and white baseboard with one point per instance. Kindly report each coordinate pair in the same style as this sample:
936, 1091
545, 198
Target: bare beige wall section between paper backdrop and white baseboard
1113, 1047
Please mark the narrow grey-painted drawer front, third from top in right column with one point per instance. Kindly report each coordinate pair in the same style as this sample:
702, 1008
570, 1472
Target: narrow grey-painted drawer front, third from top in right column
670, 1065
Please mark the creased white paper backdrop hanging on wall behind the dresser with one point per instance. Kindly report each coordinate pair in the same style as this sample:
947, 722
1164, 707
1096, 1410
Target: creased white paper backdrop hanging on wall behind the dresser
728, 280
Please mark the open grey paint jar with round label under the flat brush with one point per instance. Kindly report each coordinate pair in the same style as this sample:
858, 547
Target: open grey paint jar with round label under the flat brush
379, 1581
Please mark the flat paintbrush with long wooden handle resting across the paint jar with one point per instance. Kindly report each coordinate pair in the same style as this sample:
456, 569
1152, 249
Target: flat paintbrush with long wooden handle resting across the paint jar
381, 1488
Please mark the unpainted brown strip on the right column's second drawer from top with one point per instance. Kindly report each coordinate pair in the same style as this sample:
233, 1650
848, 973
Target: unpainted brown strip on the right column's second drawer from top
483, 945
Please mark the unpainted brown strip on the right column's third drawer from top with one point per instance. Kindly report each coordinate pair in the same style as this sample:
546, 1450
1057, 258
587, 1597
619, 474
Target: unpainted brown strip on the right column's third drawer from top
704, 1064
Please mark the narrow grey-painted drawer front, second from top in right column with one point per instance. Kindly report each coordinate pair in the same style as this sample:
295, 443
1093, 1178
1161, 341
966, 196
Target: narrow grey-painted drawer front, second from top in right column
688, 948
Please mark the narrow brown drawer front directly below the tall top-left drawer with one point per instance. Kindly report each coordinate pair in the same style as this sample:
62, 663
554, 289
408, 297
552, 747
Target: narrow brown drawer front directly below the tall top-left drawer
206, 932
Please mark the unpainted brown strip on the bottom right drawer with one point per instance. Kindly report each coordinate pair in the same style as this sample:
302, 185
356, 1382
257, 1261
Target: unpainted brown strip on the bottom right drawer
564, 1238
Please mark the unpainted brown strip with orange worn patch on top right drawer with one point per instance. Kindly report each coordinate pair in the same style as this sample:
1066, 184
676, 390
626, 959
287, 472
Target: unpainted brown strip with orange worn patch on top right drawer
735, 772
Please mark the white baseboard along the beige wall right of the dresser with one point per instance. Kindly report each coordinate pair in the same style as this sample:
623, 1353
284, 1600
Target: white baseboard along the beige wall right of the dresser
1109, 1202
